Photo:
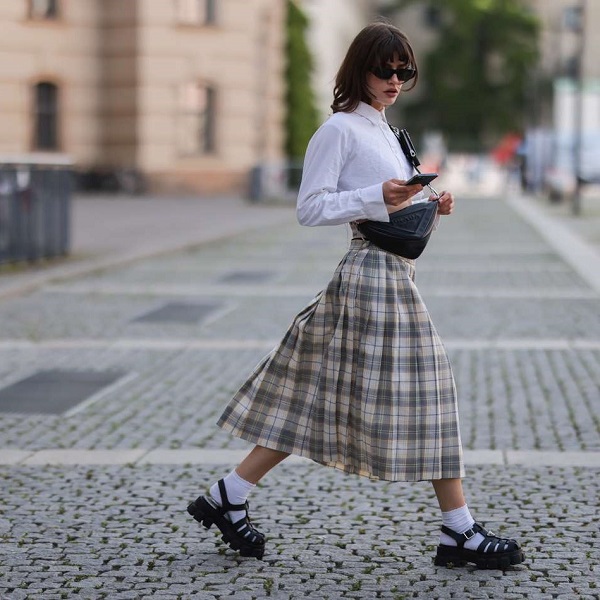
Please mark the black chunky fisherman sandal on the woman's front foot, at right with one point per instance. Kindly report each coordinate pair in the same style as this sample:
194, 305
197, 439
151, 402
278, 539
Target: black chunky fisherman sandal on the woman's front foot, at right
493, 553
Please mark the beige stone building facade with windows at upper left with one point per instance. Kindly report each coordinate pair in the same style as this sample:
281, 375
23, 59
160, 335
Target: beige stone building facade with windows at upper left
188, 92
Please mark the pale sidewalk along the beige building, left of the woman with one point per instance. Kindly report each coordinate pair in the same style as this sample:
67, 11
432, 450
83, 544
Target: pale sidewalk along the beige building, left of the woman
111, 230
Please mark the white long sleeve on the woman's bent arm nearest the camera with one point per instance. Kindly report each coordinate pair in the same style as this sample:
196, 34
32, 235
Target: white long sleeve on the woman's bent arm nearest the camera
319, 201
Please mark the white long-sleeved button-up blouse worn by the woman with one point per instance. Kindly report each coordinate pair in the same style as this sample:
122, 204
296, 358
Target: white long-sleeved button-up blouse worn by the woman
347, 161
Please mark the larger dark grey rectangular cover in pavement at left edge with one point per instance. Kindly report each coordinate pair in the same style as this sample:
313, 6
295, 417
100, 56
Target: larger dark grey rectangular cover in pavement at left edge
54, 392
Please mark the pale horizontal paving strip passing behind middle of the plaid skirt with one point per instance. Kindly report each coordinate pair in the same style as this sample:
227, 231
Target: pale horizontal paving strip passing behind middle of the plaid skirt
170, 344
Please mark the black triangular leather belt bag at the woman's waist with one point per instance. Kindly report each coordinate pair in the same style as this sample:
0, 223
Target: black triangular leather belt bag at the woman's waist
407, 232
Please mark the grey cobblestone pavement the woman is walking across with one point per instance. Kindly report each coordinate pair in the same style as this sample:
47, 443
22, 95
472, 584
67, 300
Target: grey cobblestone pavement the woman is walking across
93, 500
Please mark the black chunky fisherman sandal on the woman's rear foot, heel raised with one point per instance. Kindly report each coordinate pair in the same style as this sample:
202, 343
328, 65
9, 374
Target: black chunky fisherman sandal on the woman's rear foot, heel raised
241, 535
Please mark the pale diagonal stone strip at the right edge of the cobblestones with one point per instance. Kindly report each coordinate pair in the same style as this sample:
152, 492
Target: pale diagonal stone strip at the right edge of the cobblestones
578, 253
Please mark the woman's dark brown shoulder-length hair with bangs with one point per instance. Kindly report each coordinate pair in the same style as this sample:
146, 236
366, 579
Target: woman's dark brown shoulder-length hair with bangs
374, 46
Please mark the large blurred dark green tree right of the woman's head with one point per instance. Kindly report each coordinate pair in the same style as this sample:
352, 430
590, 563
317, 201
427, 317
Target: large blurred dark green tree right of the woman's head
476, 77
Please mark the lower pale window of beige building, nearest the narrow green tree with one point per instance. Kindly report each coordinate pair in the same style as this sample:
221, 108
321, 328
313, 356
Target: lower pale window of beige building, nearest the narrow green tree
196, 122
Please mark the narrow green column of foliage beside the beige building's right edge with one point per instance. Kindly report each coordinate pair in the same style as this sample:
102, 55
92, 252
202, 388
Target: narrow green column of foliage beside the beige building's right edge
302, 117
